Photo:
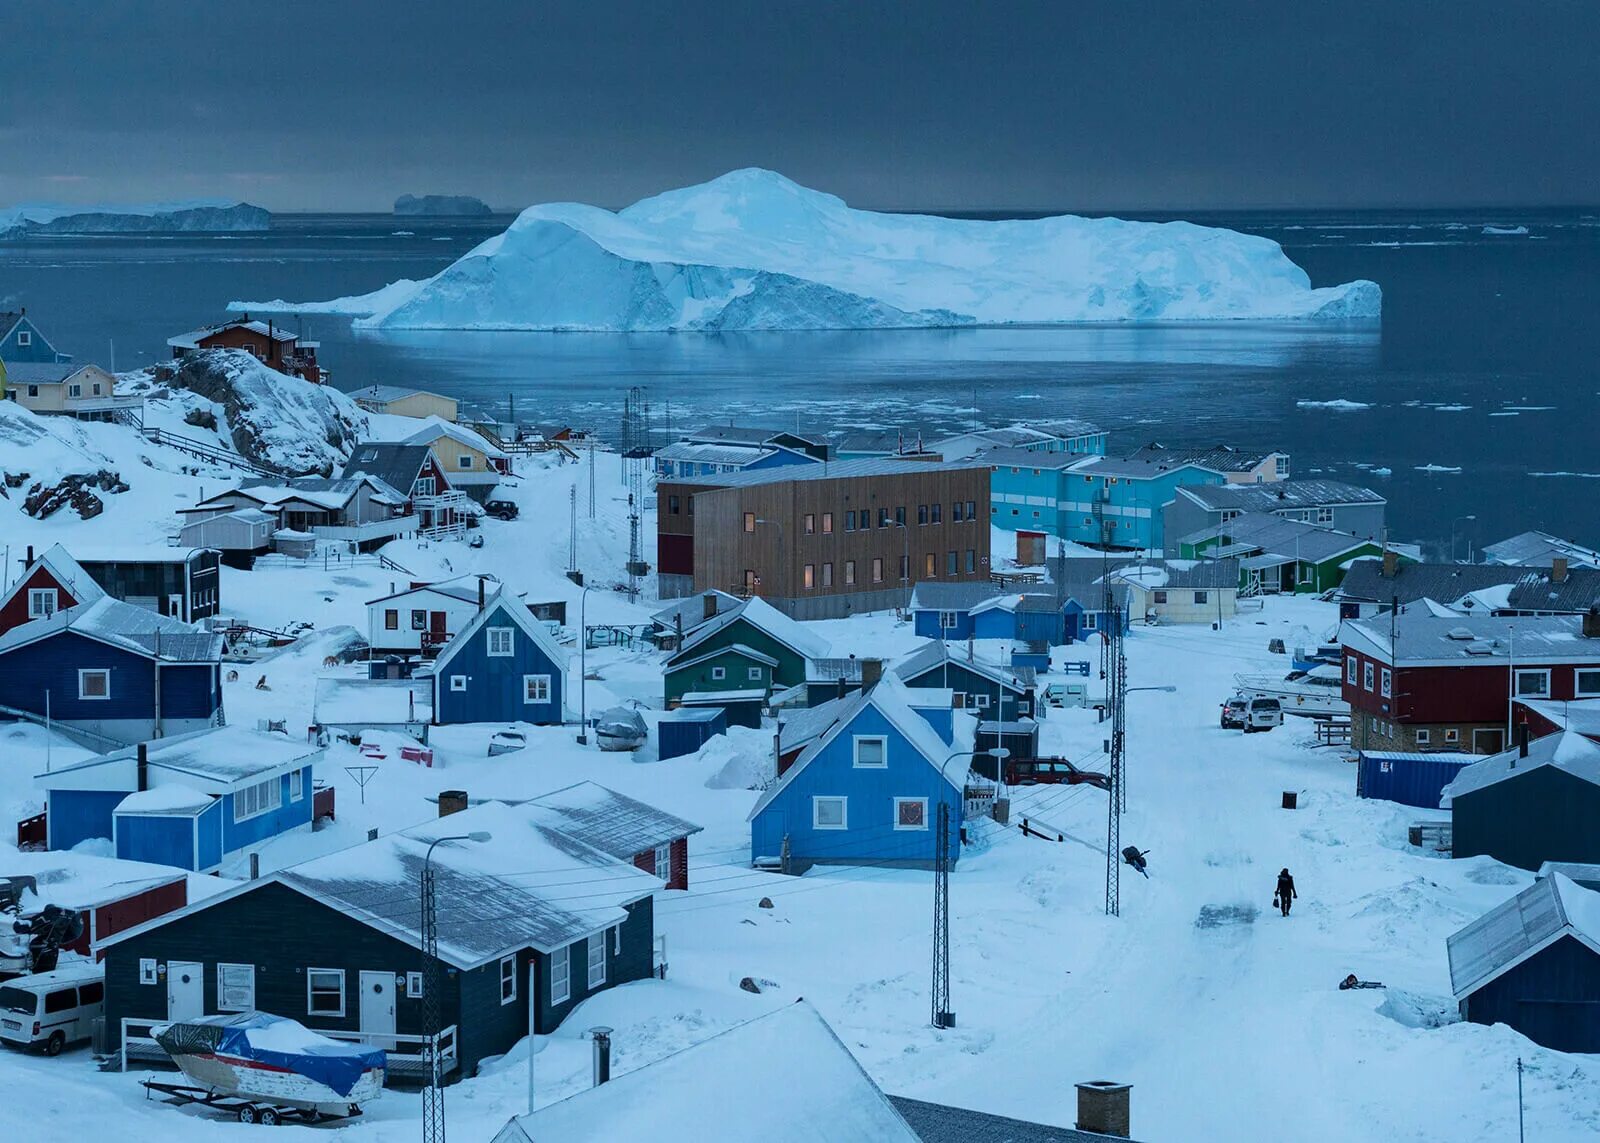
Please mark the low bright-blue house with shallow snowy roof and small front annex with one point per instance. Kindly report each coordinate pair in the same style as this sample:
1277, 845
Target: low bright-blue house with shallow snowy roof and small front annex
191, 801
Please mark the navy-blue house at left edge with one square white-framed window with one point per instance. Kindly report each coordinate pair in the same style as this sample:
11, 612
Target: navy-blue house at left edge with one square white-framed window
110, 673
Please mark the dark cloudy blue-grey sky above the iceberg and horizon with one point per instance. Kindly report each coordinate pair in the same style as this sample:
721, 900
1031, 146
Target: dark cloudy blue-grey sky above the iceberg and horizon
1098, 105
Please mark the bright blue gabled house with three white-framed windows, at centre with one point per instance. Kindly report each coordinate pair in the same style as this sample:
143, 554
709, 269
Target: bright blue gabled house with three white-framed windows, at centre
870, 787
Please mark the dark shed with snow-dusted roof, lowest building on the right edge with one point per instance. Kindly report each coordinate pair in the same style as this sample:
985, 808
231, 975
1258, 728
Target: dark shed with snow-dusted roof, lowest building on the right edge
1534, 963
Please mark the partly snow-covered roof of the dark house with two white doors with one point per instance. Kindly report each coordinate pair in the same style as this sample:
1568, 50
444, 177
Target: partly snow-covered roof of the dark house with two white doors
529, 886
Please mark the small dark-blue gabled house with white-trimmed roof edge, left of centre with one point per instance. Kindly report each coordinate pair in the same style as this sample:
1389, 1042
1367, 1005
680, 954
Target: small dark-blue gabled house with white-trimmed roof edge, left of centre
502, 667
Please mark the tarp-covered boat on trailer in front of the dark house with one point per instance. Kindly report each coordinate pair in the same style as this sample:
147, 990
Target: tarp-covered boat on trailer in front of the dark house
257, 1064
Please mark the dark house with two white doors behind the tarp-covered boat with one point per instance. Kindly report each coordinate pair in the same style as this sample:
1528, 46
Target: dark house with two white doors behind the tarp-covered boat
337, 942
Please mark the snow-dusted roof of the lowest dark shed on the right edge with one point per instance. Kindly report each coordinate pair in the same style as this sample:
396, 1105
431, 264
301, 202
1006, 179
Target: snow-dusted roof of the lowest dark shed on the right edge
1522, 928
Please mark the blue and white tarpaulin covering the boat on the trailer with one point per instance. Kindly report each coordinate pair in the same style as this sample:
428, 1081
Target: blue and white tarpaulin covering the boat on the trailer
273, 1041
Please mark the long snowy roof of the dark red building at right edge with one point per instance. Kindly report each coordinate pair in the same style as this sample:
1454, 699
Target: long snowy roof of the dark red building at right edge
1415, 638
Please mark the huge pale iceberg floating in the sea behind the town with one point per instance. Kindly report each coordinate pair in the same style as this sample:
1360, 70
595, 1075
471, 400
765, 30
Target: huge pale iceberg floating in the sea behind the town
754, 251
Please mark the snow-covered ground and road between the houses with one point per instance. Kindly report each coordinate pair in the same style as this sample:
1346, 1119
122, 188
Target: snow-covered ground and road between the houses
1223, 1016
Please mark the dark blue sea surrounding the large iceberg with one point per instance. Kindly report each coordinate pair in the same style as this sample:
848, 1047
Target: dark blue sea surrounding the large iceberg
1474, 407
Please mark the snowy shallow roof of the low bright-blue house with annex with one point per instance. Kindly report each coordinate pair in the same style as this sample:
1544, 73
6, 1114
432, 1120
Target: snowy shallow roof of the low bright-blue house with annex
212, 761
